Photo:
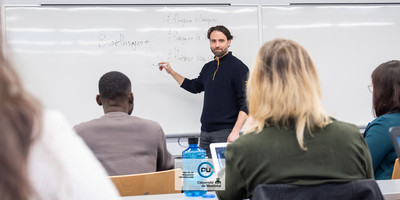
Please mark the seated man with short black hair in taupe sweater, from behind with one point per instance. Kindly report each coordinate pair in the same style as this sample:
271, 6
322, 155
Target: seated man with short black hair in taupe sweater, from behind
124, 144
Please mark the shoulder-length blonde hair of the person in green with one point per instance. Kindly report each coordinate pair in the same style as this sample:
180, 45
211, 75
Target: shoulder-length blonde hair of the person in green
283, 89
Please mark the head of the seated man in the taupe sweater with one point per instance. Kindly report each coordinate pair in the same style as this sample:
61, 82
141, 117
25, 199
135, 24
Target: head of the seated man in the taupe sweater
115, 93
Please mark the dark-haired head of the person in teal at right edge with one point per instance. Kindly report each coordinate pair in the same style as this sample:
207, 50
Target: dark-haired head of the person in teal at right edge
386, 88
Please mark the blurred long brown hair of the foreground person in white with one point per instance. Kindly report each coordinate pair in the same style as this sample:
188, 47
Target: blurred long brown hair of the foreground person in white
20, 116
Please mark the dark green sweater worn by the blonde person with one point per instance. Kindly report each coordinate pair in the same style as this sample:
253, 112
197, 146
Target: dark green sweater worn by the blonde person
336, 153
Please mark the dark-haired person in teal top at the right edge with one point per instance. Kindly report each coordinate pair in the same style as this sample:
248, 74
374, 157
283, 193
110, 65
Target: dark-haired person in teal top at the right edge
386, 104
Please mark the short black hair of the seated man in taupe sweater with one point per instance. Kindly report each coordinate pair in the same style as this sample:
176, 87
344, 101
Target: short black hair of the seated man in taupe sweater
113, 85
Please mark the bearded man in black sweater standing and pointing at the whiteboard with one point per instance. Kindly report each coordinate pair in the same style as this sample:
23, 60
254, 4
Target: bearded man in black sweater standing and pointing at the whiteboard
223, 81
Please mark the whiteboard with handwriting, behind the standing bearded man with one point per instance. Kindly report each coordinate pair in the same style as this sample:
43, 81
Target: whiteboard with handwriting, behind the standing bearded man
62, 51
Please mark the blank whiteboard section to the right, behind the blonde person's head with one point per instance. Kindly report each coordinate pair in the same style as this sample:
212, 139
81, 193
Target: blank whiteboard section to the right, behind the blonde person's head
346, 43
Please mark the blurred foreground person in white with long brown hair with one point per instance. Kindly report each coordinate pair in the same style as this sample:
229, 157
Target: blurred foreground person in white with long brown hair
41, 157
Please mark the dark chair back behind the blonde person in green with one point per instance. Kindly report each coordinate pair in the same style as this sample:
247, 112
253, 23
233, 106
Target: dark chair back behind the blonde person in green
366, 189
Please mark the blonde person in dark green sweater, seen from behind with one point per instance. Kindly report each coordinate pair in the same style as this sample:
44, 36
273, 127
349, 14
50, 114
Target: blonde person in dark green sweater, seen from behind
289, 138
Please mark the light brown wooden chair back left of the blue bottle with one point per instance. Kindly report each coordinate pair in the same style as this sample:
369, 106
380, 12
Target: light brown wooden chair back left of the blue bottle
161, 182
